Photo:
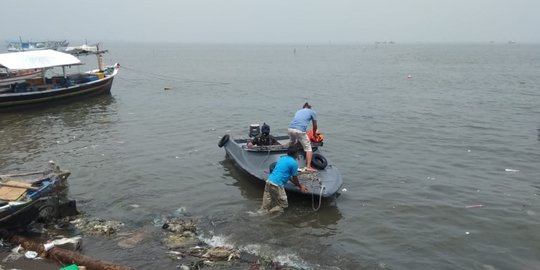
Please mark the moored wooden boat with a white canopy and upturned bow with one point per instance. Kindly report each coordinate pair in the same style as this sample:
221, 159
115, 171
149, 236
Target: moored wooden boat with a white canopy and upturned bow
46, 89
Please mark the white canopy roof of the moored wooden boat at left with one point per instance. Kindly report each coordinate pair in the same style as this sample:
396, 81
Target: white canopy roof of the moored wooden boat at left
37, 59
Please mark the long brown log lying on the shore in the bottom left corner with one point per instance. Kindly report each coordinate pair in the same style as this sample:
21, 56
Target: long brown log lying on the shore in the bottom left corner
62, 255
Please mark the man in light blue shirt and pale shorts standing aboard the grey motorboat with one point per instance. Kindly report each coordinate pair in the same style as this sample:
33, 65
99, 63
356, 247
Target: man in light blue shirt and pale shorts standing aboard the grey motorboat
298, 128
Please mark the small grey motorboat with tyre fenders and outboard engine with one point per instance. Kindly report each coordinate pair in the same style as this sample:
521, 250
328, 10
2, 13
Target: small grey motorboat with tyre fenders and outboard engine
259, 161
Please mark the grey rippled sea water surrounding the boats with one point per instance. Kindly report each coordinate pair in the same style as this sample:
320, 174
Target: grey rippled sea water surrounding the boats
419, 132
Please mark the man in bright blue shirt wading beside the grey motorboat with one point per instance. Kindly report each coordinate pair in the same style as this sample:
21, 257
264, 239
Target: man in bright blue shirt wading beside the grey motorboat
275, 198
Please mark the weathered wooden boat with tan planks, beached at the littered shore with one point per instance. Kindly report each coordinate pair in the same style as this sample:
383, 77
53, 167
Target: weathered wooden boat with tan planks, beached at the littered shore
23, 196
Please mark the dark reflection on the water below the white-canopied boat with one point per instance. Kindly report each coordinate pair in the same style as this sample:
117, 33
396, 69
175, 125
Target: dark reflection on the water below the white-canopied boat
30, 132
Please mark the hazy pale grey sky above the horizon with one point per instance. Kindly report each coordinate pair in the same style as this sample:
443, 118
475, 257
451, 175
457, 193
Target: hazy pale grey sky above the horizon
273, 21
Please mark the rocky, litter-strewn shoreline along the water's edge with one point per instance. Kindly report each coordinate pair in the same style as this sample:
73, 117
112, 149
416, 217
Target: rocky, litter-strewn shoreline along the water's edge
179, 235
